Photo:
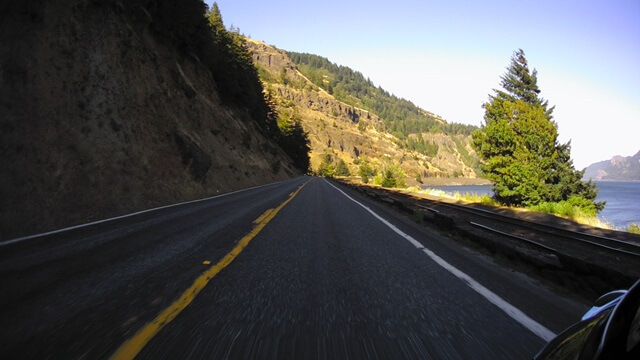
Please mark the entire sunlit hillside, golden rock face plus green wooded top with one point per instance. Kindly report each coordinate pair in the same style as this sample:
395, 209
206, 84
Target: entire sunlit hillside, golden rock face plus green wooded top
348, 125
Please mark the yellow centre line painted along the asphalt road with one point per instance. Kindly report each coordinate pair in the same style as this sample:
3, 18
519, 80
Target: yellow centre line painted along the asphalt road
133, 346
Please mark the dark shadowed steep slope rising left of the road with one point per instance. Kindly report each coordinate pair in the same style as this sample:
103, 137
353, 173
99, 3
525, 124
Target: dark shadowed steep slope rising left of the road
110, 107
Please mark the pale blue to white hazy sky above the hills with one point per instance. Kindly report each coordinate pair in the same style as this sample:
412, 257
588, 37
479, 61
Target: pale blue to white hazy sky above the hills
447, 56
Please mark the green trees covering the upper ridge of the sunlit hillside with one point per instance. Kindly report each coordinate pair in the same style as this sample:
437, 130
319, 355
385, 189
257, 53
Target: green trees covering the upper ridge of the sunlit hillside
401, 117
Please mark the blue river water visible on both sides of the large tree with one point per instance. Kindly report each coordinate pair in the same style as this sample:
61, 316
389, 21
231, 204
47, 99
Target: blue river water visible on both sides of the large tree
623, 200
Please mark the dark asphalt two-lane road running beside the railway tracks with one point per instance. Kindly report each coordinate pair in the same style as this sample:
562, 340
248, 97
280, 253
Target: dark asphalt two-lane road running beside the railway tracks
323, 278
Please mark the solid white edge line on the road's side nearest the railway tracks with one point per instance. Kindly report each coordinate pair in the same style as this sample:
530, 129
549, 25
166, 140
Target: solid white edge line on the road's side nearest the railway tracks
509, 309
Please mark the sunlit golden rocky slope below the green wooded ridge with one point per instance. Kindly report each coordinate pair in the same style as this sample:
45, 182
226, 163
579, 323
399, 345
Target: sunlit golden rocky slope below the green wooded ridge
351, 133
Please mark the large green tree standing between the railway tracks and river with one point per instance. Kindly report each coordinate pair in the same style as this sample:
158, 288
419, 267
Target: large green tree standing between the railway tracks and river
519, 145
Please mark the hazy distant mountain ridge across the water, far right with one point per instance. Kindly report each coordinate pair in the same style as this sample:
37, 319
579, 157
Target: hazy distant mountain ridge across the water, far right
618, 168
